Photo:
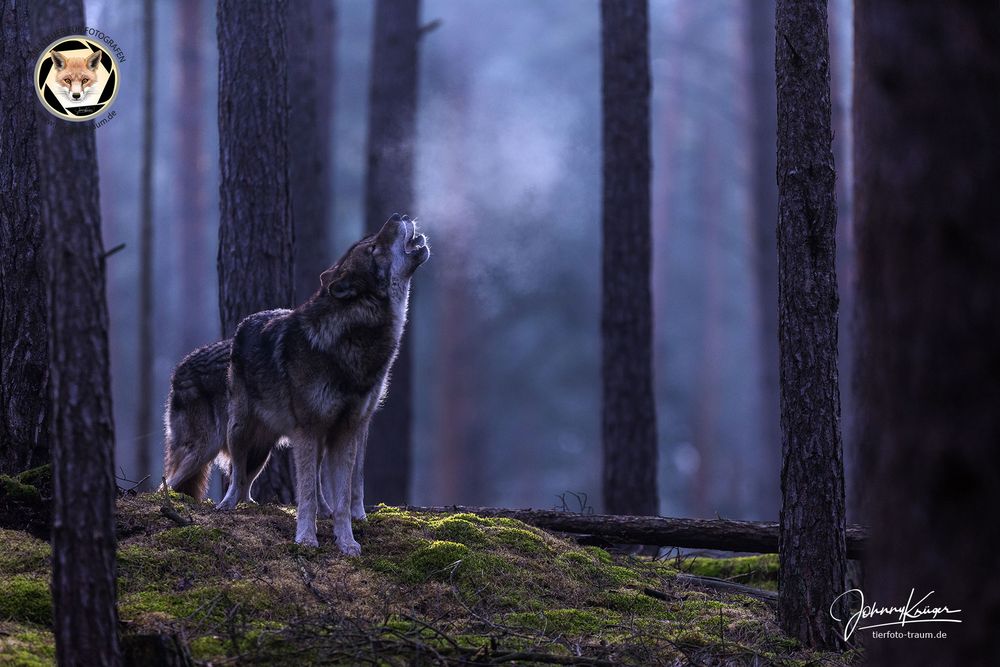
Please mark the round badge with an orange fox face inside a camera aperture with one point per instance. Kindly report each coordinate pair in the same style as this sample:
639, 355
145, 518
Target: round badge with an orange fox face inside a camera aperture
76, 79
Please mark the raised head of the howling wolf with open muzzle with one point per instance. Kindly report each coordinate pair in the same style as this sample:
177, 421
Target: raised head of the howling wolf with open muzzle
379, 266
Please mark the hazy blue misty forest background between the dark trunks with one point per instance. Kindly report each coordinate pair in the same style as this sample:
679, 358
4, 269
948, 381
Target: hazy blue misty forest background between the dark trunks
505, 317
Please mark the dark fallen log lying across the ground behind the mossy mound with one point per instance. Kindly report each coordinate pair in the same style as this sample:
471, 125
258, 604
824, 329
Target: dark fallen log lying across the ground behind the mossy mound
722, 534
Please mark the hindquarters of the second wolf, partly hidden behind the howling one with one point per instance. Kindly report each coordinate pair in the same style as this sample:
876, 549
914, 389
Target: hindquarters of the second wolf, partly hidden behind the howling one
195, 418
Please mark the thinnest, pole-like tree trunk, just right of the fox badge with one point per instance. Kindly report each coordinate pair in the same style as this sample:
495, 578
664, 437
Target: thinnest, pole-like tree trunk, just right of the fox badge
144, 416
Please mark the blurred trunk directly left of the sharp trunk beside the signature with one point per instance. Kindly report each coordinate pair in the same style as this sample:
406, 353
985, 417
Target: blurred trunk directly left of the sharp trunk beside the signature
764, 207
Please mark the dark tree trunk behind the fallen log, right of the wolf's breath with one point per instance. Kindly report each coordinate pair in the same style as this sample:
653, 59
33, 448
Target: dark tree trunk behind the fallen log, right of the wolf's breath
628, 411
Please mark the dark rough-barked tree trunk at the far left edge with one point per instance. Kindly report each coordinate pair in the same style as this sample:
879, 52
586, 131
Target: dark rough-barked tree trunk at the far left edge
24, 441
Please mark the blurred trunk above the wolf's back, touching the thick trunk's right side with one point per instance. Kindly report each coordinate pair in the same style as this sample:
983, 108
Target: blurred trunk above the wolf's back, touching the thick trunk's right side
311, 34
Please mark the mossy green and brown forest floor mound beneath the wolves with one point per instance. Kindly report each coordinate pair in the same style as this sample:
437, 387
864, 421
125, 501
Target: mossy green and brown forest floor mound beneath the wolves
429, 589
